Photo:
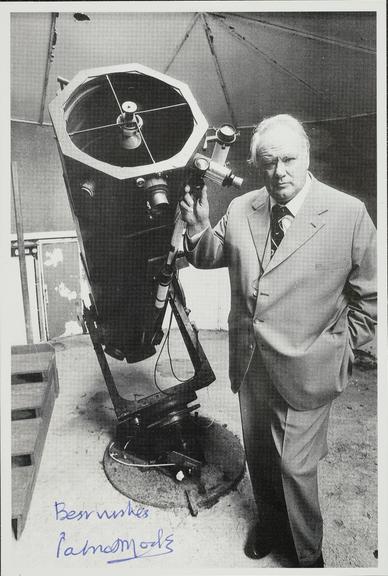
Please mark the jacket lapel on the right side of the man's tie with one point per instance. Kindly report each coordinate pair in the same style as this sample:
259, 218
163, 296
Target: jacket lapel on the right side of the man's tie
309, 219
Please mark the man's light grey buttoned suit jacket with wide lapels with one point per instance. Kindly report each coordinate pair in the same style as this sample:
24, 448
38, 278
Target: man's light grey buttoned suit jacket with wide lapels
308, 307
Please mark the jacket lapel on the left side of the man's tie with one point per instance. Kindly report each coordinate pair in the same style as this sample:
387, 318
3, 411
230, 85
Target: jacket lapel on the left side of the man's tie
259, 224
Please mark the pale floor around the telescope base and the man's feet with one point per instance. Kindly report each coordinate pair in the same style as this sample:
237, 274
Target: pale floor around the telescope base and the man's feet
71, 472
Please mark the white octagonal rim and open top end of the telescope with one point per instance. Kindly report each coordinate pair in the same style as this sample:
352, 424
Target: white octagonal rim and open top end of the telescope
127, 121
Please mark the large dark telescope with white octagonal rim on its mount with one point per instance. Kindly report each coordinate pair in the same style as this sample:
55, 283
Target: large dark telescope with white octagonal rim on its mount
127, 137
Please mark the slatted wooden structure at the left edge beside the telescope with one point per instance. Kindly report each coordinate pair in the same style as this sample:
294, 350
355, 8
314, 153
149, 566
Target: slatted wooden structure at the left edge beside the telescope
34, 387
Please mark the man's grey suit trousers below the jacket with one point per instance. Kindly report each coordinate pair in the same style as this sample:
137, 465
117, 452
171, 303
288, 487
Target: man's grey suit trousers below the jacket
283, 447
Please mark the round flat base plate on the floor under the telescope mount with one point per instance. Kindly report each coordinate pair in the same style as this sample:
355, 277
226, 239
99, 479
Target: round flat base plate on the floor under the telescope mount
224, 468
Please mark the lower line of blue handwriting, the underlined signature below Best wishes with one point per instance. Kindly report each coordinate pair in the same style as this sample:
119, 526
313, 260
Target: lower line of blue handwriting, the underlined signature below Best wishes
131, 549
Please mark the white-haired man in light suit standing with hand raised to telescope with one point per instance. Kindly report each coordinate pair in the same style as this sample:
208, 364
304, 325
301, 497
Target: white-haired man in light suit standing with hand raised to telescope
302, 265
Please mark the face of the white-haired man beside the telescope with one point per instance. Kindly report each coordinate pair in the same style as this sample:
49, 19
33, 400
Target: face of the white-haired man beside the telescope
283, 160
